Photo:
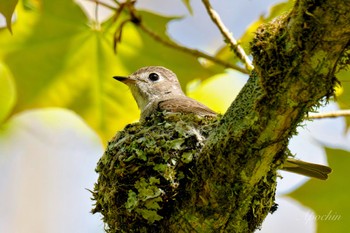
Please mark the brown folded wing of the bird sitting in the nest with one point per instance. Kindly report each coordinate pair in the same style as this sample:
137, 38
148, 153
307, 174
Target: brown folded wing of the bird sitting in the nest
185, 105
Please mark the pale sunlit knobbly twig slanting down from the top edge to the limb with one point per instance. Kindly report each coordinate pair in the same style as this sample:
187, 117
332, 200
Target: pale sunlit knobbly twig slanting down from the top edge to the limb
237, 49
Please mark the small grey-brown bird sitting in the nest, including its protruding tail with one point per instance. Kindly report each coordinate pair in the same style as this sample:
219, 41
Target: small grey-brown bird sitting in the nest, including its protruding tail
156, 88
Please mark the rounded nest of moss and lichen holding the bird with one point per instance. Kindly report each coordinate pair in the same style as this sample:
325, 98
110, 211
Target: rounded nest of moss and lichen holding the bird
145, 167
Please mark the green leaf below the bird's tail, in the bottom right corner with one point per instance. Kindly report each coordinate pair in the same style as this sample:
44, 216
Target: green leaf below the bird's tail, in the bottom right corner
329, 199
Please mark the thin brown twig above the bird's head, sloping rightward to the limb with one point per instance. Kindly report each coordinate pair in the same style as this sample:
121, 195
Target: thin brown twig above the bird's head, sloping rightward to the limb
193, 52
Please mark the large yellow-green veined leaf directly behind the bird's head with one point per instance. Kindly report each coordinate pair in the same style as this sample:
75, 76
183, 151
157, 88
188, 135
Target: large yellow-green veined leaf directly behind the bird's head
59, 58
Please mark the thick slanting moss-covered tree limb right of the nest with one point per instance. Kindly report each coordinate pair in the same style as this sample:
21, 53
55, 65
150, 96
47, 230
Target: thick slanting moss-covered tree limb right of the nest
295, 59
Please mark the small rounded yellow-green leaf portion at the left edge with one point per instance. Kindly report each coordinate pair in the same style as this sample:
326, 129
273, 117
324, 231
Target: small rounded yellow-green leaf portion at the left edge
7, 93
